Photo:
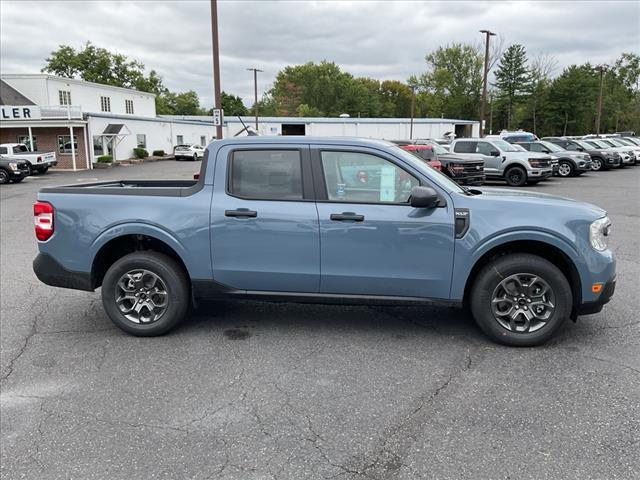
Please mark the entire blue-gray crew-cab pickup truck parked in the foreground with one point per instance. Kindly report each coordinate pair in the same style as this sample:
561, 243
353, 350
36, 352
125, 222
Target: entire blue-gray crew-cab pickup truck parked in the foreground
322, 220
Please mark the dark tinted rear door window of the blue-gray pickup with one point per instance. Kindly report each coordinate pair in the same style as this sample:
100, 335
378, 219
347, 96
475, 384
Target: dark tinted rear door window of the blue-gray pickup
266, 174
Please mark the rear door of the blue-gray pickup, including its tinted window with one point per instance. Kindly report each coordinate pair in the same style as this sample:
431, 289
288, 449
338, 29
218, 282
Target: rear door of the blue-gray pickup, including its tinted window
264, 222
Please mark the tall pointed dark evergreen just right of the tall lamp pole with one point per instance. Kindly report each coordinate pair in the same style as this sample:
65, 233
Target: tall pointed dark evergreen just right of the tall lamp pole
512, 78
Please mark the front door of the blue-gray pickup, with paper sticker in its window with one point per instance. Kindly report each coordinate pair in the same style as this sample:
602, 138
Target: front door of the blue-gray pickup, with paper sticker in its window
372, 241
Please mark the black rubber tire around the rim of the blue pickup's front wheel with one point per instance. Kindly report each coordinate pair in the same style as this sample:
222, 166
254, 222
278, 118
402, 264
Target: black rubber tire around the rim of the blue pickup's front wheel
488, 282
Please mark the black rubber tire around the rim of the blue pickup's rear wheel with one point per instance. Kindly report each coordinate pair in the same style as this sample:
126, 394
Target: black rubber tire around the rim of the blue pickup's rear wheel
169, 272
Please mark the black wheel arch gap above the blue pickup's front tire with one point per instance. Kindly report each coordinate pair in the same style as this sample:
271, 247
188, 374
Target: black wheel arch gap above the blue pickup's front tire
539, 248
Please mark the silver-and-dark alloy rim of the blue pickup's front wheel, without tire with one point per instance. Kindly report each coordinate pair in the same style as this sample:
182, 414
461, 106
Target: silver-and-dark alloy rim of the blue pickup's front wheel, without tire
523, 303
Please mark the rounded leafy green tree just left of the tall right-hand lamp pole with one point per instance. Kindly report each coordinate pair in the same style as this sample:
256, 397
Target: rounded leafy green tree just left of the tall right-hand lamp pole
453, 80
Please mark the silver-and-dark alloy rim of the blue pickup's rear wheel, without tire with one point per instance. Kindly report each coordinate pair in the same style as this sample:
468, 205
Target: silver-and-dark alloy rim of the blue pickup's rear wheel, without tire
141, 296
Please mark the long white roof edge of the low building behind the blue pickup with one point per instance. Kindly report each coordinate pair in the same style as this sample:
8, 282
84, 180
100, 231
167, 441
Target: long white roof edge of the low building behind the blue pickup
307, 120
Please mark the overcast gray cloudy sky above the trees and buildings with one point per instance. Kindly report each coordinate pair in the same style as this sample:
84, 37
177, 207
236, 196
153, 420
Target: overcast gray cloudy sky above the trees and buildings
384, 40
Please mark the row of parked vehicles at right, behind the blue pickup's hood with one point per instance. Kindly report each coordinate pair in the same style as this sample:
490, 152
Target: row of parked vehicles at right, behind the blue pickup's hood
521, 158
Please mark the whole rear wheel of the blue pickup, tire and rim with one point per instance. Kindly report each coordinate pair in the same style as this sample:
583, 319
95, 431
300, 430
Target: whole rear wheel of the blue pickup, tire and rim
146, 293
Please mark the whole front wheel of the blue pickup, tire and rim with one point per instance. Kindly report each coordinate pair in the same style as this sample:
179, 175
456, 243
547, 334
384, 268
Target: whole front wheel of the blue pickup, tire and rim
520, 300
